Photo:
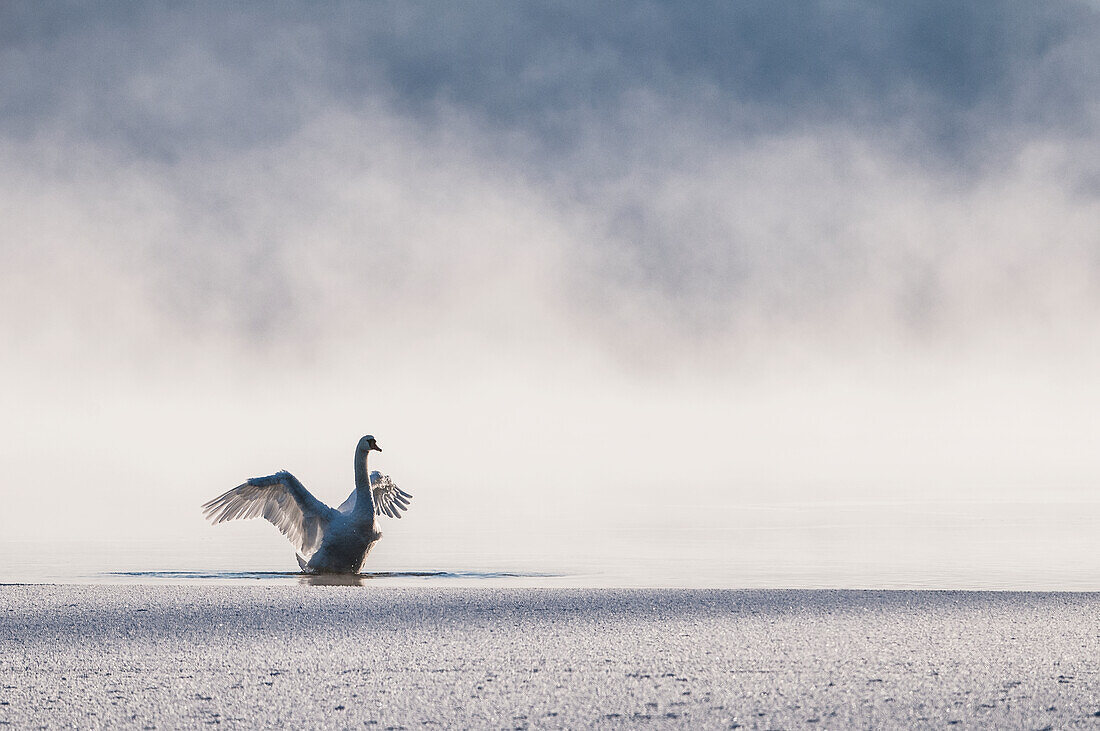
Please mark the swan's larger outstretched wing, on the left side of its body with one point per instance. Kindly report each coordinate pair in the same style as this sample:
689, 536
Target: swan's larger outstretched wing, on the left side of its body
283, 501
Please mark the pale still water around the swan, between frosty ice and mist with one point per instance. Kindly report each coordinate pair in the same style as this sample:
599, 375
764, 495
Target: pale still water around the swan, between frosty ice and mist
1013, 547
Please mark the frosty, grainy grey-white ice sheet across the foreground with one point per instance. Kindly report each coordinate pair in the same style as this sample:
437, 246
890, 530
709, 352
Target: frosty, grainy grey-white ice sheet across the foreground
142, 657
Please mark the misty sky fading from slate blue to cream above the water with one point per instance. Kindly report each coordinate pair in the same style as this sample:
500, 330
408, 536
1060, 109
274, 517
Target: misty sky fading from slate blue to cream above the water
573, 265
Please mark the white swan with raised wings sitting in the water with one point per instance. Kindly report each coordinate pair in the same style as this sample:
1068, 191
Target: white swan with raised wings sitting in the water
329, 541
